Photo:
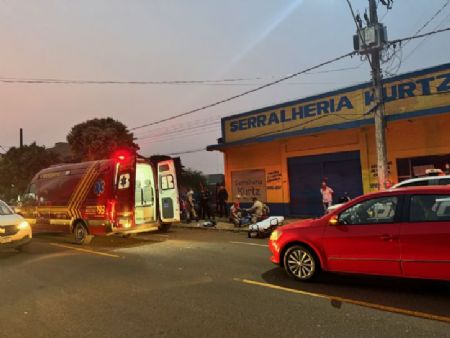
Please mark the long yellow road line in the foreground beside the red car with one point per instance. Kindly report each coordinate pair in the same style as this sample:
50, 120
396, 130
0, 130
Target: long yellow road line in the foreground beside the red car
350, 301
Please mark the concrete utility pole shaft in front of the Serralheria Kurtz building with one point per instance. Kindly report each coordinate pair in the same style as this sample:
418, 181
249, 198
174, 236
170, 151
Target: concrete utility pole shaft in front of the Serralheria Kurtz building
380, 123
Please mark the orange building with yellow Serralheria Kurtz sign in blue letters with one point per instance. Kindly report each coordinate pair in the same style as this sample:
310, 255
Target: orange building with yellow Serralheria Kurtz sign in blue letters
282, 153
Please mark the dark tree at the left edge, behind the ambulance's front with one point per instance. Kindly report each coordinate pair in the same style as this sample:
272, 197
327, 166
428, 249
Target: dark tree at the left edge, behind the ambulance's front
19, 165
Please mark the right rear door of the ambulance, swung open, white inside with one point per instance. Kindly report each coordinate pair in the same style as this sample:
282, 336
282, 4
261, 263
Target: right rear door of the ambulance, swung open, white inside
169, 204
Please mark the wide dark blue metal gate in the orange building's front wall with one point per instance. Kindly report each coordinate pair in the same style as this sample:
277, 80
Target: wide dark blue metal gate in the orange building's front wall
341, 170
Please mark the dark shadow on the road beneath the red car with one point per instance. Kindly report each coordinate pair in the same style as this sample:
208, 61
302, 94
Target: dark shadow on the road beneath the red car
411, 294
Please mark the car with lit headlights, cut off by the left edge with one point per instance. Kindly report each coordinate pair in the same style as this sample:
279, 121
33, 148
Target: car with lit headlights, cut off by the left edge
15, 232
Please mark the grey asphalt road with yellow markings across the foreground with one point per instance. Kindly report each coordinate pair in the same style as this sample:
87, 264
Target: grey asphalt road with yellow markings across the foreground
193, 283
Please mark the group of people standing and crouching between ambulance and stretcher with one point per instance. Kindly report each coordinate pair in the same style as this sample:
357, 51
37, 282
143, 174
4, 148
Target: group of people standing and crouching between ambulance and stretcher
198, 206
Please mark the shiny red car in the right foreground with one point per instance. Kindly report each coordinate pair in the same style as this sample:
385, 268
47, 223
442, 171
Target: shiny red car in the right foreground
402, 233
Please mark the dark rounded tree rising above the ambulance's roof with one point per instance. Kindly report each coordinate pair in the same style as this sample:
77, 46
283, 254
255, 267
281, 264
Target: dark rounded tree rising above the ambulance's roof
97, 139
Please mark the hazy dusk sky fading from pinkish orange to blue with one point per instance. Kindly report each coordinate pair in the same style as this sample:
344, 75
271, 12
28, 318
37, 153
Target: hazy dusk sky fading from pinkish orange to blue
164, 40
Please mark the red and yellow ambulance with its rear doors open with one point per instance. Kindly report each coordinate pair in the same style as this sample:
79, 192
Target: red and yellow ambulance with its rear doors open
125, 195
